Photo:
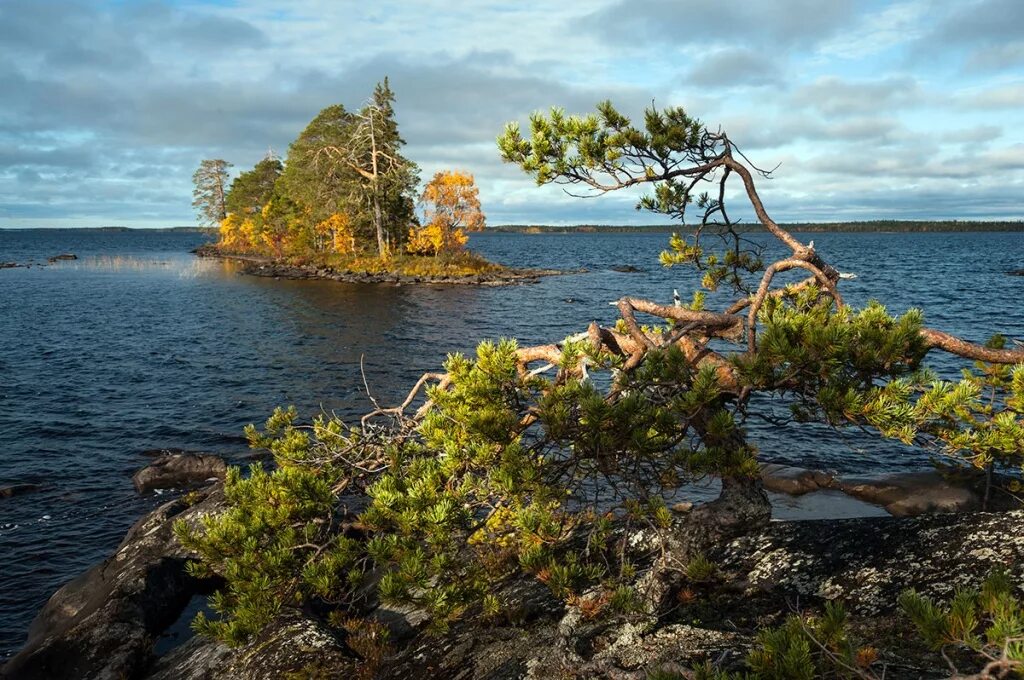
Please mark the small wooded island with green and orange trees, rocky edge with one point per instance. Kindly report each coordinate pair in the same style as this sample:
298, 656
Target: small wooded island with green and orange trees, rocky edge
344, 206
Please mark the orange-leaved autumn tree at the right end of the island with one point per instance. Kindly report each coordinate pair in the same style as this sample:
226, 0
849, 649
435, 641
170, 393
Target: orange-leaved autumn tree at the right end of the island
452, 207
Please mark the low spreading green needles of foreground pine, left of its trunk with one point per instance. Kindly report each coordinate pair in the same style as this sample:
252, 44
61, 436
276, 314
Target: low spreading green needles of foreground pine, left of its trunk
498, 478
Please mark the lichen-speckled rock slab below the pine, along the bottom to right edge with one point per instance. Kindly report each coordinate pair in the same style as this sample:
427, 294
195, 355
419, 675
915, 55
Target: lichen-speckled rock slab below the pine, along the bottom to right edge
866, 564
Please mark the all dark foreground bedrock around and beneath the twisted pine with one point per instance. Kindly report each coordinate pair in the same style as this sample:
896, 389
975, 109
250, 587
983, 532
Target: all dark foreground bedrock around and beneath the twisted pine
105, 624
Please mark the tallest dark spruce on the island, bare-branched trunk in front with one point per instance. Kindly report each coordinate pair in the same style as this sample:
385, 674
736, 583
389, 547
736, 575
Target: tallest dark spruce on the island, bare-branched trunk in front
386, 179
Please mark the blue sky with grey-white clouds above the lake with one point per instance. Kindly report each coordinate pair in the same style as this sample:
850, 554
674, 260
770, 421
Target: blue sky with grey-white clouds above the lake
871, 110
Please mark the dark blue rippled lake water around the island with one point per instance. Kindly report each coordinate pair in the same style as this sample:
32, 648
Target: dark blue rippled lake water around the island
141, 346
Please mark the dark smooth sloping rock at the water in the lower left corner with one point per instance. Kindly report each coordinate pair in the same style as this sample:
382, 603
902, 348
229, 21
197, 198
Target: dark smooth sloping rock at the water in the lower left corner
104, 623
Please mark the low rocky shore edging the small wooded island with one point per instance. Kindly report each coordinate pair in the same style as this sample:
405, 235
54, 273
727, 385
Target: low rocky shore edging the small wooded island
262, 267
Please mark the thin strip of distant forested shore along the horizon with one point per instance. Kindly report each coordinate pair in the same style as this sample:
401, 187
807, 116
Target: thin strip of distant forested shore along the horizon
868, 227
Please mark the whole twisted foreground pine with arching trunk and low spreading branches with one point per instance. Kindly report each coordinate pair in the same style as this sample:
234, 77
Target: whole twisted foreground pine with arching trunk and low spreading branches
547, 459
